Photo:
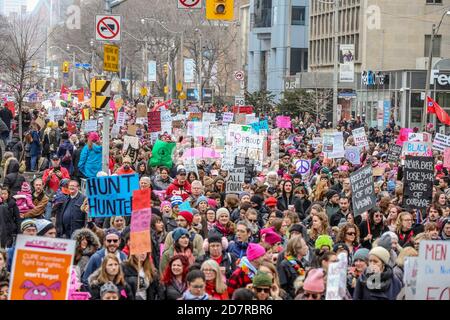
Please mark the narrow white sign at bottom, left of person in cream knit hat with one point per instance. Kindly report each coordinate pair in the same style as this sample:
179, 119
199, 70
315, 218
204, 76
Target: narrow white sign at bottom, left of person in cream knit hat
337, 278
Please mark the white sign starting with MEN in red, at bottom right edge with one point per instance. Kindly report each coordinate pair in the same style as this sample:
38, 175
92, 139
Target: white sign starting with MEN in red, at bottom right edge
433, 277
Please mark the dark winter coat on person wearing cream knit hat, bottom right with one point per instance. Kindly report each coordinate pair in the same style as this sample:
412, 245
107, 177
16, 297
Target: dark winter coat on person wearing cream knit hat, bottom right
388, 288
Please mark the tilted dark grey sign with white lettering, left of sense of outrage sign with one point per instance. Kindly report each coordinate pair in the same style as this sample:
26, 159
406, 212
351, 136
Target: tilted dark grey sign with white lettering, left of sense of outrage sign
363, 192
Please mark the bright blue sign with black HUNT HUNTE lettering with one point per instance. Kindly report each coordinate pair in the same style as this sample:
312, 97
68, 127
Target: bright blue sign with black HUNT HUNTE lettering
111, 195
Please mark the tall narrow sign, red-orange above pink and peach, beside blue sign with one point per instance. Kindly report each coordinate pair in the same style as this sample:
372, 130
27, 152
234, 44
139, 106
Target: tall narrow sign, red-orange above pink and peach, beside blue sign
140, 241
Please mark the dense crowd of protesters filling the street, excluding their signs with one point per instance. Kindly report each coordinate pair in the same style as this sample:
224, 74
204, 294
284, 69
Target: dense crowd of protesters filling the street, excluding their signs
273, 241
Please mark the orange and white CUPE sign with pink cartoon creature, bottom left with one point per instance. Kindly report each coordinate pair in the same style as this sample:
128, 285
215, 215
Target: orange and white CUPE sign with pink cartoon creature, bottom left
41, 268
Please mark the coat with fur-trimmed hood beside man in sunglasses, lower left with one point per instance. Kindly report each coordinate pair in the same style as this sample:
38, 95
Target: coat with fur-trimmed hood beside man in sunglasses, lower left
82, 256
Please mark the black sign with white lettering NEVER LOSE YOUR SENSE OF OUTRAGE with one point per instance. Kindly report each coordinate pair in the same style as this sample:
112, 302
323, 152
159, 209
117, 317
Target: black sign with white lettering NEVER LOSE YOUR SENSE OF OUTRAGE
418, 177
